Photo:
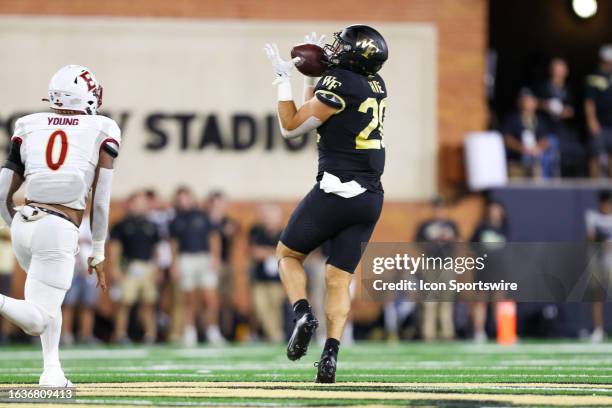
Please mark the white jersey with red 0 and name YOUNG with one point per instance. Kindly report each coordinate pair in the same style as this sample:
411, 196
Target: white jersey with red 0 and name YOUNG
60, 154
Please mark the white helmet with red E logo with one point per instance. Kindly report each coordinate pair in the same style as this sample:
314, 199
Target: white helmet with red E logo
75, 88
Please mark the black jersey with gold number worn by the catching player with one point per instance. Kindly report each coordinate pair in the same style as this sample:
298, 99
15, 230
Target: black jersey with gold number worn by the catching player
350, 142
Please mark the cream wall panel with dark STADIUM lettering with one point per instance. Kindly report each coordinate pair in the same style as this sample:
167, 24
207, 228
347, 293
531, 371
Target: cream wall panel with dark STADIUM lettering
202, 113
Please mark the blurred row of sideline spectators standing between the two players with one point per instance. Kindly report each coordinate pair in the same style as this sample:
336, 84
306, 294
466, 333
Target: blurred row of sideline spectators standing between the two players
172, 278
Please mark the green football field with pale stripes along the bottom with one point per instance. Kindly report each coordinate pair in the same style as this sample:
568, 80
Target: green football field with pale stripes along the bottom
372, 374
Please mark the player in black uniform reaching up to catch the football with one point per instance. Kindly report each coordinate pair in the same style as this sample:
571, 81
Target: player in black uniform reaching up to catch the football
347, 107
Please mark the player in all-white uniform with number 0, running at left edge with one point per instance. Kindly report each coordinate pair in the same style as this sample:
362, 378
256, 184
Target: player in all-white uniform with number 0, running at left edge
62, 156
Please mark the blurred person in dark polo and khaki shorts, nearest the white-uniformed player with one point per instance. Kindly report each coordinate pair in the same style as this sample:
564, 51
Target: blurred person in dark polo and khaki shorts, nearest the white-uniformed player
133, 242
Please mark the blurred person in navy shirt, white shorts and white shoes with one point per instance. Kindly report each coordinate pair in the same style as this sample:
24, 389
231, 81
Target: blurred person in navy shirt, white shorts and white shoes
196, 251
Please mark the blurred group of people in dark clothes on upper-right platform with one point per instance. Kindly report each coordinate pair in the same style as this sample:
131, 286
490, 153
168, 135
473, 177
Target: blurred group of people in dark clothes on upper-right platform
546, 137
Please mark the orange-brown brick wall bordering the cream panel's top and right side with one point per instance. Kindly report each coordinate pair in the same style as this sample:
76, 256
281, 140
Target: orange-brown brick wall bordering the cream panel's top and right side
462, 41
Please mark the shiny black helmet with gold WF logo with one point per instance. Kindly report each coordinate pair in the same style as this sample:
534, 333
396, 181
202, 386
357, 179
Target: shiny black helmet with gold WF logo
358, 48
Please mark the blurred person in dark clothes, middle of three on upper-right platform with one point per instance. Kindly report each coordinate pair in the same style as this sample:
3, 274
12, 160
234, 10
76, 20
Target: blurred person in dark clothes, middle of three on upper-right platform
555, 101
